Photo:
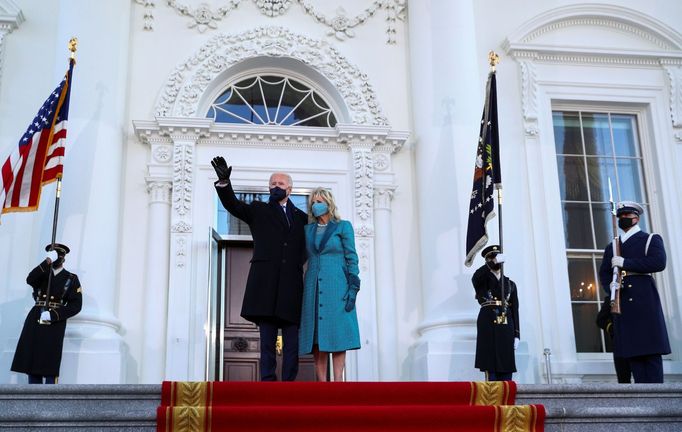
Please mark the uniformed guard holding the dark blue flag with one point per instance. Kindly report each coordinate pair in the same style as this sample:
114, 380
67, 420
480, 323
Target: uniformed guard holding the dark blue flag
496, 340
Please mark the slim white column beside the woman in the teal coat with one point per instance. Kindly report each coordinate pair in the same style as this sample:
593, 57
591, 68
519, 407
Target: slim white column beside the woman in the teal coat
386, 305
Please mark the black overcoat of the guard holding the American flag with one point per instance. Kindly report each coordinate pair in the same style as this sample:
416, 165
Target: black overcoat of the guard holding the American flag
39, 350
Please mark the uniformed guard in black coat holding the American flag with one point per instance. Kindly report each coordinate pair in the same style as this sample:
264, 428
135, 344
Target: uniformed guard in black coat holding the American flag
57, 295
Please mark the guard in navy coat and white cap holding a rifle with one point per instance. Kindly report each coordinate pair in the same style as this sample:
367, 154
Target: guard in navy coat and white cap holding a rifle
639, 331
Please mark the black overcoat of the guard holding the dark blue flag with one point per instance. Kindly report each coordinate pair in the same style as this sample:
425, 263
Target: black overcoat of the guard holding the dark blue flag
495, 342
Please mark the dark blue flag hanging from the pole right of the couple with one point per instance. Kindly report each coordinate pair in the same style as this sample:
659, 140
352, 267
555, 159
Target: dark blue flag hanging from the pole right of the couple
487, 175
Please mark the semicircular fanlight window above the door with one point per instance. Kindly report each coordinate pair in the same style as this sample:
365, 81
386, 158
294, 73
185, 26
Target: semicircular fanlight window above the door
271, 100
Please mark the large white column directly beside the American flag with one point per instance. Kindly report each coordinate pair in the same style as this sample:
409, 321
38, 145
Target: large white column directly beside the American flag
91, 200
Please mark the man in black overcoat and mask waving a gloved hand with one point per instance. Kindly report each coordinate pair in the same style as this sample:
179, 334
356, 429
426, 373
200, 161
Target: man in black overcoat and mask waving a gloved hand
274, 288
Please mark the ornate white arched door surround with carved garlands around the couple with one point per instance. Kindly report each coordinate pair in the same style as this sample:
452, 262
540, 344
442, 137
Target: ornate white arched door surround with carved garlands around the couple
353, 159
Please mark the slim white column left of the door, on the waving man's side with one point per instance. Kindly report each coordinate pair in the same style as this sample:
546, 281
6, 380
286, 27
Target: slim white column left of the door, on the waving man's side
156, 286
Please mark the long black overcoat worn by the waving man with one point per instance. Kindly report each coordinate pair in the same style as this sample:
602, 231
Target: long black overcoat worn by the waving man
274, 288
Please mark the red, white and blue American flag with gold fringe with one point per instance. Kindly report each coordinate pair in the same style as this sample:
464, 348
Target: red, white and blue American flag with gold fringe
38, 159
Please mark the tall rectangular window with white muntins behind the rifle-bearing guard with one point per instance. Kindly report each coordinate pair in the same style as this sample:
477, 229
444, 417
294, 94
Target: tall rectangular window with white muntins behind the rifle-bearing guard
591, 149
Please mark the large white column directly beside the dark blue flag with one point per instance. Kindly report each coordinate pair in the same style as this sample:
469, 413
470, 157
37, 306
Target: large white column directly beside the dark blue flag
447, 92
